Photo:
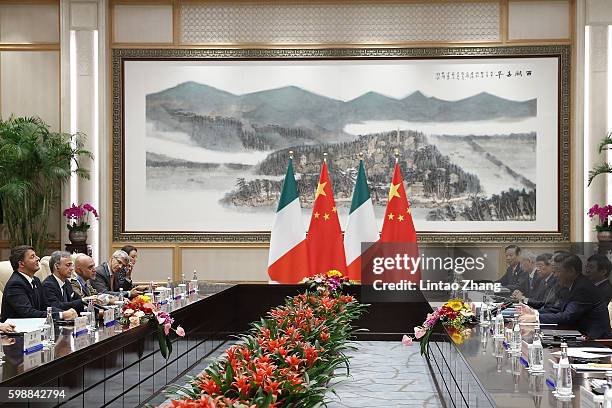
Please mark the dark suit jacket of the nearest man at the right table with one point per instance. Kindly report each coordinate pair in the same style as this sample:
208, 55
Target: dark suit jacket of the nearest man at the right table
582, 308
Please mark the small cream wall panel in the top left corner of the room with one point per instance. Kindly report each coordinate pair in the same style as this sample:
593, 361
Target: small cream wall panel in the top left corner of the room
29, 23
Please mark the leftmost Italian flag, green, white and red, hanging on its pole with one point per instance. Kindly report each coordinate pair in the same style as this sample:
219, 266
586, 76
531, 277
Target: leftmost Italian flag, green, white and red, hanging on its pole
288, 259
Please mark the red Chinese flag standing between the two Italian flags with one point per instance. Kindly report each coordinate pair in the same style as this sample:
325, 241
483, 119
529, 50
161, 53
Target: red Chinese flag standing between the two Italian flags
324, 241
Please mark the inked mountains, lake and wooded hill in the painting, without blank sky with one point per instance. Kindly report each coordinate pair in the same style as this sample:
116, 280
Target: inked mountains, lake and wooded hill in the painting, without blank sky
245, 142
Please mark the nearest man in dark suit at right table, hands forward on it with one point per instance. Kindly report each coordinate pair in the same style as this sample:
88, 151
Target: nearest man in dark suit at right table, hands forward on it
580, 306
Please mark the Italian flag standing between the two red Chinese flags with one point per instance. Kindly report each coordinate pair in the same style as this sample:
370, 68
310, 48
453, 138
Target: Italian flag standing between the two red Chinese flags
362, 229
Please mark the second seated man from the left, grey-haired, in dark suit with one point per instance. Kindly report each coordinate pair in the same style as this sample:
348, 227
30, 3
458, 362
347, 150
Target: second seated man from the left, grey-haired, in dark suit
57, 286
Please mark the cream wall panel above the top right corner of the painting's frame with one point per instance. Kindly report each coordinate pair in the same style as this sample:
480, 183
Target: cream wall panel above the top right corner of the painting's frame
538, 20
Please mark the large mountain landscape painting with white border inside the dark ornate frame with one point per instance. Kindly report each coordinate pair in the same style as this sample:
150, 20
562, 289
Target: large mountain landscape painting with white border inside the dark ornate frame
207, 142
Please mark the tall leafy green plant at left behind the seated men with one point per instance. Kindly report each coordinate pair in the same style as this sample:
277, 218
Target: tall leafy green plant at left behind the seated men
34, 164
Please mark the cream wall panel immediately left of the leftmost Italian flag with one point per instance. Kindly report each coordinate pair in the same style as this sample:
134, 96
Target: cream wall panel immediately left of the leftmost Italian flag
226, 264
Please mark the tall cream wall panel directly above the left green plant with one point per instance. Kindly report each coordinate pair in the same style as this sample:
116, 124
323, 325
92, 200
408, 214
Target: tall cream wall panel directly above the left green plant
29, 85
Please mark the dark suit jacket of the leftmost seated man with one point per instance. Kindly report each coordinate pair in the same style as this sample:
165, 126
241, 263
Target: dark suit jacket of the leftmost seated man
20, 300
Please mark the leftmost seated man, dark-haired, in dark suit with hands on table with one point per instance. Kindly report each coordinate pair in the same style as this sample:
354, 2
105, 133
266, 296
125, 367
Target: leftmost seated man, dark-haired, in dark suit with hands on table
23, 293
